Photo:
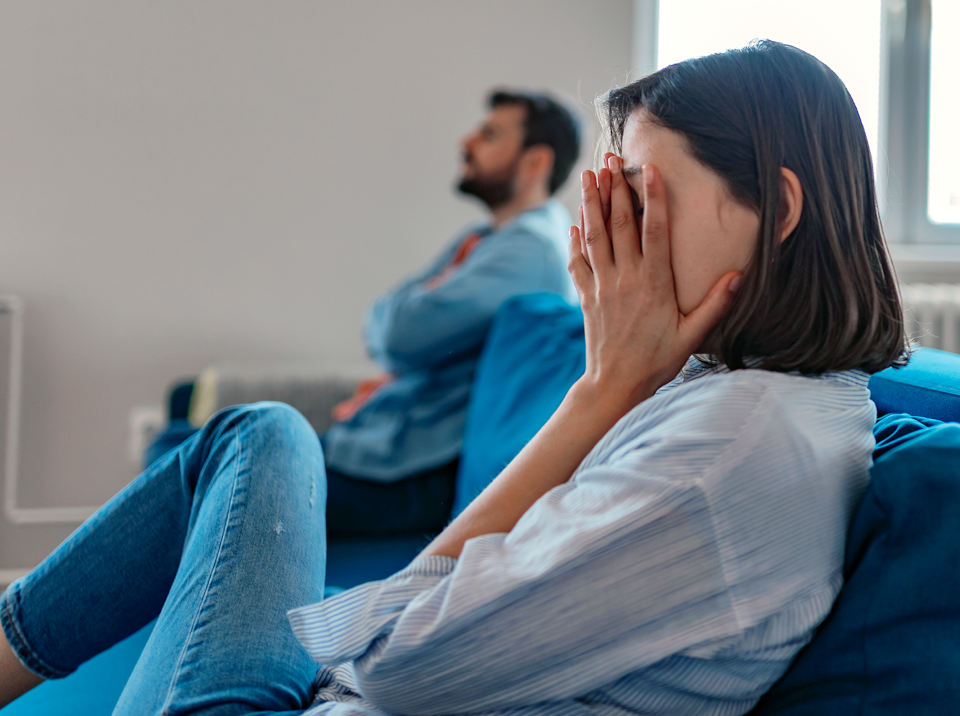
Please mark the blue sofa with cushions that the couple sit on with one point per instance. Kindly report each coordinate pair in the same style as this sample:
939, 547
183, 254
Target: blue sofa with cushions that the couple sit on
891, 645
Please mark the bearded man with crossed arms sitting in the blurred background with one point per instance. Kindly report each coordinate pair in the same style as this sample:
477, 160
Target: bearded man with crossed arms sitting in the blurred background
391, 456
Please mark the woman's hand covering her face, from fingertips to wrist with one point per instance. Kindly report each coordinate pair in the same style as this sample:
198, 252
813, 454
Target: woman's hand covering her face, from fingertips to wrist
637, 338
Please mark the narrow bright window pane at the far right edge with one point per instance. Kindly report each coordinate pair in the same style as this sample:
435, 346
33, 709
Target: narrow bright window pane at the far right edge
943, 187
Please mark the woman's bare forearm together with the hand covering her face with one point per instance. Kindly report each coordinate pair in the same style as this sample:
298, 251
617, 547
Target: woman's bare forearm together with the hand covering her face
637, 340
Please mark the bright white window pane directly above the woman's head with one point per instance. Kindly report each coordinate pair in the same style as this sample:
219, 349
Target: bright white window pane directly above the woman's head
843, 34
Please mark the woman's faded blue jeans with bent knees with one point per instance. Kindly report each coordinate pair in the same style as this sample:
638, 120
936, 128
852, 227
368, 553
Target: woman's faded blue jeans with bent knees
217, 540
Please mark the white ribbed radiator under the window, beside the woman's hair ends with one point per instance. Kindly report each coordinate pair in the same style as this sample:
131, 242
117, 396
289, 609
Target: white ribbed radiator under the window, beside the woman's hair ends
932, 314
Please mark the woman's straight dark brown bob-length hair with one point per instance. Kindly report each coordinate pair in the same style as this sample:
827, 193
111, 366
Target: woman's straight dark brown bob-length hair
826, 297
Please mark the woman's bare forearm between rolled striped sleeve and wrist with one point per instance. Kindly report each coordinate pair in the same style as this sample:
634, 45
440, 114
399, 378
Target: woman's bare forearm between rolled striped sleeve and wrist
548, 460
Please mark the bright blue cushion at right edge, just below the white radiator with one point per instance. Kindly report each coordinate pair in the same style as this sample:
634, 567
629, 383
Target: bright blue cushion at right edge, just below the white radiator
929, 386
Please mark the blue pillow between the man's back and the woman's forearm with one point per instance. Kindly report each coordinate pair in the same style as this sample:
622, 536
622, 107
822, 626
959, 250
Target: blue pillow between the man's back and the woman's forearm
532, 355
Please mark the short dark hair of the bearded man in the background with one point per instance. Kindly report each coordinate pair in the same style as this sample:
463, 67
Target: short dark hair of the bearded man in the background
546, 122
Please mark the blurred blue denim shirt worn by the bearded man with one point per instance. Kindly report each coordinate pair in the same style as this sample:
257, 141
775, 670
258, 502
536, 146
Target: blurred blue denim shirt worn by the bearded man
430, 340
